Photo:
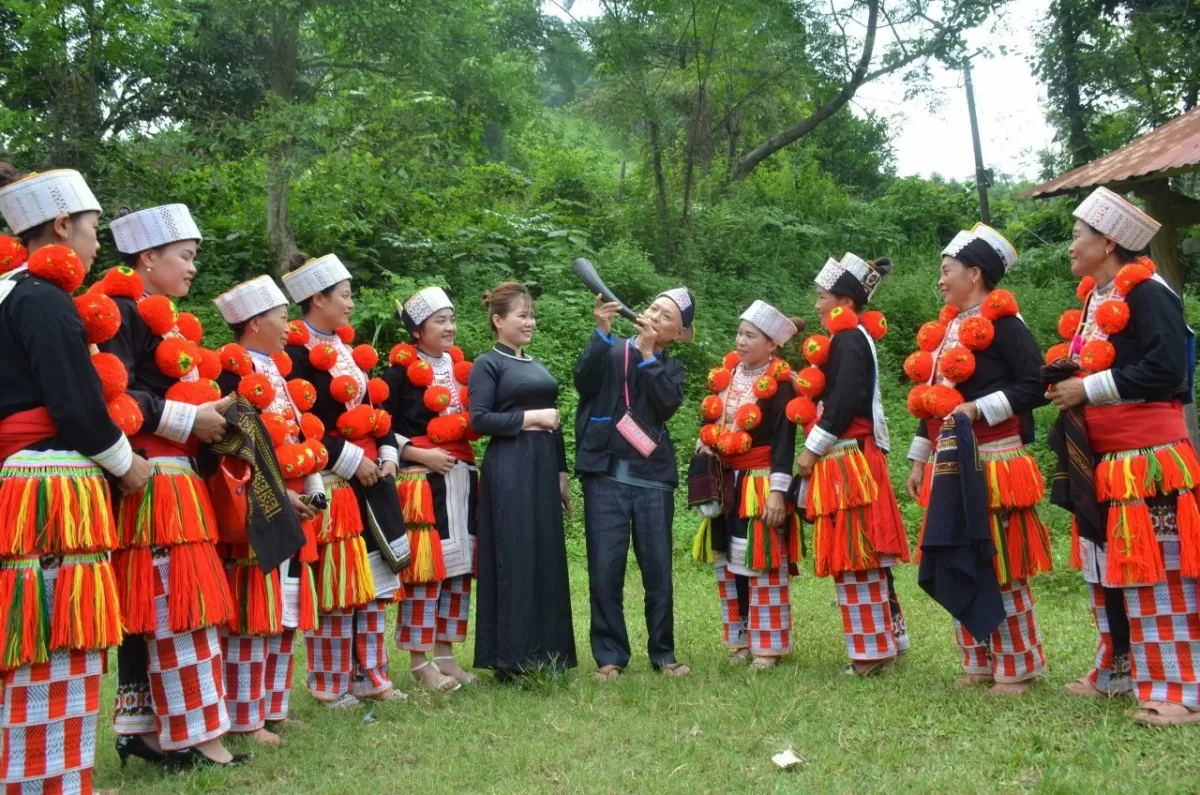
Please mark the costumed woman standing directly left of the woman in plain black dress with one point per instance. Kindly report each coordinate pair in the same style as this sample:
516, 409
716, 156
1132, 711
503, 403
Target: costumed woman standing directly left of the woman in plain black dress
439, 487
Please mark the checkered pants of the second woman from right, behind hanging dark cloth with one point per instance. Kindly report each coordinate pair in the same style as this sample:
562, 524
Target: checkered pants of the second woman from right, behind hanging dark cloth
1013, 653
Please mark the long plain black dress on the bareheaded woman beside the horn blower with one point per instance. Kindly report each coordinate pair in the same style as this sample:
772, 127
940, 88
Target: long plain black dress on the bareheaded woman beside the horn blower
524, 596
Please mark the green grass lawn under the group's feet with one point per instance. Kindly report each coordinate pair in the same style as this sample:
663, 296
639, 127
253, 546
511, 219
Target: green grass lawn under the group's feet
907, 731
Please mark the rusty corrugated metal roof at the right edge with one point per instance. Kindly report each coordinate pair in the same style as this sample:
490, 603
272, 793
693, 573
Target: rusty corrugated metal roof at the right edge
1172, 150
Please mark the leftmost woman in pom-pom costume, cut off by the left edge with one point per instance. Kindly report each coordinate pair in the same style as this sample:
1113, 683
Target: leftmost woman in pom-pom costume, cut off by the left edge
58, 594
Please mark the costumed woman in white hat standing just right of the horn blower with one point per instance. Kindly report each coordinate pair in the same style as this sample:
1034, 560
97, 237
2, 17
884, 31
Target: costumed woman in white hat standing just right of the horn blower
752, 536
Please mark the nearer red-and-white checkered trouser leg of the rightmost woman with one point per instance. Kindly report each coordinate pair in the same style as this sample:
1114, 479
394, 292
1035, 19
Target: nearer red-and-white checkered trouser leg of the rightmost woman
1165, 638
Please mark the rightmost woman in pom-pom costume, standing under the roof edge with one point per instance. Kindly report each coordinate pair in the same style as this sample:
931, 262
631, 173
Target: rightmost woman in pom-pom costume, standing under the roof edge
1126, 468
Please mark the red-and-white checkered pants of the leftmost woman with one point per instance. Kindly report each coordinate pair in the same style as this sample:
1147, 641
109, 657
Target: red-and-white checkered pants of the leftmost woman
49, 725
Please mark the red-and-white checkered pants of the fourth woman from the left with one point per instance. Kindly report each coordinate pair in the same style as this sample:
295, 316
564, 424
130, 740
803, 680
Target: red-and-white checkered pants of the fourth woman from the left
347, 653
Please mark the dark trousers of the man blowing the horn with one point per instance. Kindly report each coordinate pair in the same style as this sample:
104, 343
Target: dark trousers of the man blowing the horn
613, 513
